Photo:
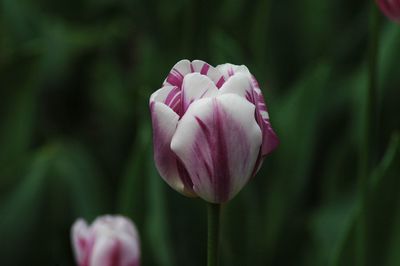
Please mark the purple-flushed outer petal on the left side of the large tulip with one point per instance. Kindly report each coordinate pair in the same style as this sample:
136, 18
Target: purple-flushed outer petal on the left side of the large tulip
164, 122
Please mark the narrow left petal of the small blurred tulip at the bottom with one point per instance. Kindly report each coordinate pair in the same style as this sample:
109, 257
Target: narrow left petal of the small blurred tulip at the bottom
82, 242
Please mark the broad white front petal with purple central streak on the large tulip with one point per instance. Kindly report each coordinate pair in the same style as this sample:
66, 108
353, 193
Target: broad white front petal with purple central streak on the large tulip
218, 140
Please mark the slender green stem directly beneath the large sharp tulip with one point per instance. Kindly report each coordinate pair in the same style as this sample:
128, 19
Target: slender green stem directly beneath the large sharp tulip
213, 233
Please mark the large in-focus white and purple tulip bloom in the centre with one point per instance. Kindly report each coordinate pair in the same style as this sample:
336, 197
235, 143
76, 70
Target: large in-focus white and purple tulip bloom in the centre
211, 129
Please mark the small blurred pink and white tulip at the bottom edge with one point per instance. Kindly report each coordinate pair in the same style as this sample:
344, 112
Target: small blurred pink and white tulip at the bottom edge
109, 241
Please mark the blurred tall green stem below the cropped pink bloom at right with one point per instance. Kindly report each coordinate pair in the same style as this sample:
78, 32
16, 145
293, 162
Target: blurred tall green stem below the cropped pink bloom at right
370, 133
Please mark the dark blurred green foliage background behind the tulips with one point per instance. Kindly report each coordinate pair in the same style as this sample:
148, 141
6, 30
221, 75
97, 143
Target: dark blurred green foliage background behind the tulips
75, 134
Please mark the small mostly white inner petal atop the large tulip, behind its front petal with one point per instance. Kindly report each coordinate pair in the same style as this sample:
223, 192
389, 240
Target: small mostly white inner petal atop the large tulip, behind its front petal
196, 86
